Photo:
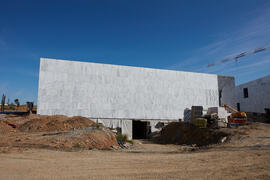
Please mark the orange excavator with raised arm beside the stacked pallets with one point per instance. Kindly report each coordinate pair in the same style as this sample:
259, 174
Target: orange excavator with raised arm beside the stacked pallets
236, 118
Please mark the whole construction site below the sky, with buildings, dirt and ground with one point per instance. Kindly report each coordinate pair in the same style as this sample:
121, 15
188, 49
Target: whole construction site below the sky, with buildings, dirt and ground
99, 121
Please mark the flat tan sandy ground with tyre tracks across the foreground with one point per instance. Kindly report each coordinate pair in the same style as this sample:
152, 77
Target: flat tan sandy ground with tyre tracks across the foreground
246, 156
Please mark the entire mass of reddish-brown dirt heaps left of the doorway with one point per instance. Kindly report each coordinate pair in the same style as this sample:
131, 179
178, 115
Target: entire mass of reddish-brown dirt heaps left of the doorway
54, 132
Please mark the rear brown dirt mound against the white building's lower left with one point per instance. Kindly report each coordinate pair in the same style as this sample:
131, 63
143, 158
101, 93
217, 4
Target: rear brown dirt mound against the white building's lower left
54, 123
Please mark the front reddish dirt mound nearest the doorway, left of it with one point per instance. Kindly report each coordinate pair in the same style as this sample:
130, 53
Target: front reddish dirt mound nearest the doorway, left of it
96, 137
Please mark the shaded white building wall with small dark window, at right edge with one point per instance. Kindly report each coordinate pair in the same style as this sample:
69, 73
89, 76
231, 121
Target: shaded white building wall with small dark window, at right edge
258, 95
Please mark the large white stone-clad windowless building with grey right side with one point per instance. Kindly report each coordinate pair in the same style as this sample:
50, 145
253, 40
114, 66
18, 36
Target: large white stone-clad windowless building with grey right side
120, 96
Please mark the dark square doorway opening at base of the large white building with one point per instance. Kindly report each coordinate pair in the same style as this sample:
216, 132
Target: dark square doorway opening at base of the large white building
140, 129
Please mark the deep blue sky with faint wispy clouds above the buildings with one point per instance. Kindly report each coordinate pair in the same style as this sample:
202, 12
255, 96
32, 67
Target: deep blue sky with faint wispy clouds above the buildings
168, 34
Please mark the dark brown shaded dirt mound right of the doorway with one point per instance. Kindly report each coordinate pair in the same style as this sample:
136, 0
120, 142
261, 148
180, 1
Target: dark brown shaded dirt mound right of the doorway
189, 134
